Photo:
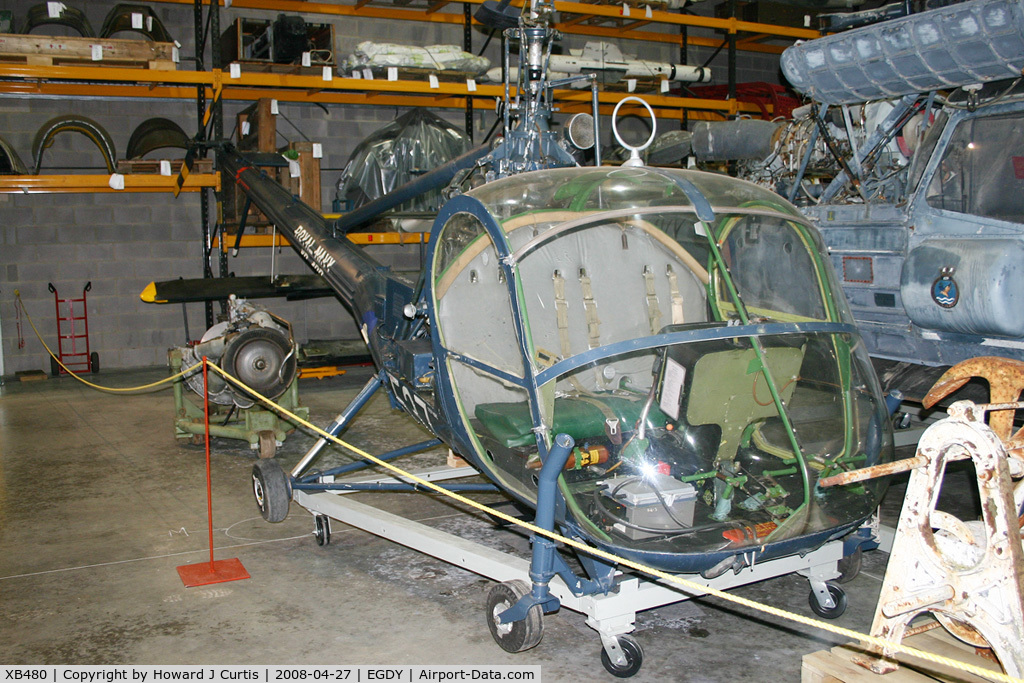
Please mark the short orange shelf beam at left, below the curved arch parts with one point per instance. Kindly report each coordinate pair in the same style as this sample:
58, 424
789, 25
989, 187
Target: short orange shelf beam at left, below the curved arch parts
38, 185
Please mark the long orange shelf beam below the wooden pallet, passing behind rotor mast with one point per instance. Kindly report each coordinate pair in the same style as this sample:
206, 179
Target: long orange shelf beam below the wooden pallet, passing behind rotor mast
117, 82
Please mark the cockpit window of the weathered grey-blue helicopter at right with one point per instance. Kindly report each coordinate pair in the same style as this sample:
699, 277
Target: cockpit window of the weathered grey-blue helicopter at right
983, 169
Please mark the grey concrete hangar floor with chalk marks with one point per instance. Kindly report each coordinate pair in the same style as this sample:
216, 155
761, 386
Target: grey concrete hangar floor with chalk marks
99, 505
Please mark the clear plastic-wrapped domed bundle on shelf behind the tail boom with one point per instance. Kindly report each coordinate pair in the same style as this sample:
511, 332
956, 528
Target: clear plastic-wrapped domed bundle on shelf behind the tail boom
411, 146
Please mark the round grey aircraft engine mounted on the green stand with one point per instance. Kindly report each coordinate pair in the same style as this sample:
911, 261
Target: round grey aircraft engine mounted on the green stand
252, 346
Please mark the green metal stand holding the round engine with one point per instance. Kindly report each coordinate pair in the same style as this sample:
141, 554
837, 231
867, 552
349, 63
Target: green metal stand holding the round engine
263, 429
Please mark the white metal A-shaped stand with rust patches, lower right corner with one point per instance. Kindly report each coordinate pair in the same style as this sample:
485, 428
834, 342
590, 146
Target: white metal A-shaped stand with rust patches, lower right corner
969, 575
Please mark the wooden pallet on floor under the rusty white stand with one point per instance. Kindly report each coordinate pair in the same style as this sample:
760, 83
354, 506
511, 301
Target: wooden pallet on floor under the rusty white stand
837, 666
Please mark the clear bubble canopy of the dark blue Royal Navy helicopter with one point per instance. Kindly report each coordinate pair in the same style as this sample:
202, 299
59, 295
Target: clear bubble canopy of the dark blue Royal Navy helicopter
687, 330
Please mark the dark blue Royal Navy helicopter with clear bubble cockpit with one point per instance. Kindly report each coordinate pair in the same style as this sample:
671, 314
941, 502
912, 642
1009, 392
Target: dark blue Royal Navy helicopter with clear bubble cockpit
658, 363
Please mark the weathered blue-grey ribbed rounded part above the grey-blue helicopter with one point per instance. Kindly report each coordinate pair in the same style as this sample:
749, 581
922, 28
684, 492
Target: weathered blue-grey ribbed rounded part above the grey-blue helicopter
962, 45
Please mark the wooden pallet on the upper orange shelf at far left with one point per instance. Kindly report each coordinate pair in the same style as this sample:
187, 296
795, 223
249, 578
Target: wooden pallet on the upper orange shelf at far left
69, 51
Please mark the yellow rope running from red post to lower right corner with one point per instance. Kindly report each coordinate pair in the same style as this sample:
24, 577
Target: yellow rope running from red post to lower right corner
673, 579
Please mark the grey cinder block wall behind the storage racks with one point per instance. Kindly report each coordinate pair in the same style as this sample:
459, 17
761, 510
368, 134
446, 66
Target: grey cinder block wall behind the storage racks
121, 242
